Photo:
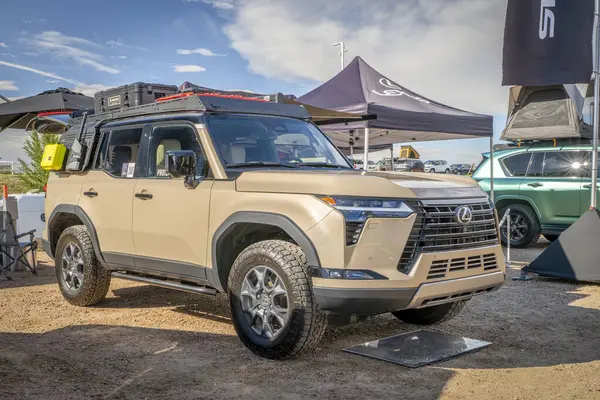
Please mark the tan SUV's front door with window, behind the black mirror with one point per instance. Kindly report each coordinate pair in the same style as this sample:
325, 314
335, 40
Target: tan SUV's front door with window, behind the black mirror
170, 221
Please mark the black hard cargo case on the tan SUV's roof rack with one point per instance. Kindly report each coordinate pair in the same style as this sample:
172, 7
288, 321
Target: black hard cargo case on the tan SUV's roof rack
132, 95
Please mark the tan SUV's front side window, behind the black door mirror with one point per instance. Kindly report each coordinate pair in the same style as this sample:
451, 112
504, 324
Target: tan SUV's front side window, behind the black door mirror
169, 138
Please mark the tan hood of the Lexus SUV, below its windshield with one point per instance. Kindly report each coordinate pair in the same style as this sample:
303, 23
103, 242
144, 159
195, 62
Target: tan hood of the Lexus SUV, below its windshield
358, 183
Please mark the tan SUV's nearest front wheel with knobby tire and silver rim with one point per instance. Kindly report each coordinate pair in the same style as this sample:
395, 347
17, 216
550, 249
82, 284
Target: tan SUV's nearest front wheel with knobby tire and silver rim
272, 304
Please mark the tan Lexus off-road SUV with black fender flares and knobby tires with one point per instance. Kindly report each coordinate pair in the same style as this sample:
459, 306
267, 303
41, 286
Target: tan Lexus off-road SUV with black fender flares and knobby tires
250, 198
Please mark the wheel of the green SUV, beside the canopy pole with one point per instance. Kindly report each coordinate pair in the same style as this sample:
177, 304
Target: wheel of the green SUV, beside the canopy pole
524, 226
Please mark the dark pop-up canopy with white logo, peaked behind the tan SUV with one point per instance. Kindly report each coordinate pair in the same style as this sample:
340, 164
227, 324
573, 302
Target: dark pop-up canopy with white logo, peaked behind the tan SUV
401, 115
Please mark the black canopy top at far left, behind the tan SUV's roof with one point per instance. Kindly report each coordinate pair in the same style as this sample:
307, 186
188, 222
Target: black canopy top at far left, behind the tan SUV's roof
17, 114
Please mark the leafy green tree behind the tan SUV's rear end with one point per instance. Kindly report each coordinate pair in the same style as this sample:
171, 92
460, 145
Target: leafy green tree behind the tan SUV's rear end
32, 174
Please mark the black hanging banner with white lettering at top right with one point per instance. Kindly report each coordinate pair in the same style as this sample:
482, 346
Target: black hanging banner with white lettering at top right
548, 42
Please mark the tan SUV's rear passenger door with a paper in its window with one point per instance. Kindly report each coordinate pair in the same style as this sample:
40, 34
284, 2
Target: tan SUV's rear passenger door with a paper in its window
107, 193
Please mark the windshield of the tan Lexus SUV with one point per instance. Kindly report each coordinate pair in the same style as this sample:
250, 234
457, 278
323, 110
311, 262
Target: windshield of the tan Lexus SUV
259, 140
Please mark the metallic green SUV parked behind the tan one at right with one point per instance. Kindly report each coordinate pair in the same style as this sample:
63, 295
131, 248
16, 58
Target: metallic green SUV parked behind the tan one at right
546, 189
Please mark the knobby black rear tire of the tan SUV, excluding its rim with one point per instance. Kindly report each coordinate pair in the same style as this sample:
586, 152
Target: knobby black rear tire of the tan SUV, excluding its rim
96, 278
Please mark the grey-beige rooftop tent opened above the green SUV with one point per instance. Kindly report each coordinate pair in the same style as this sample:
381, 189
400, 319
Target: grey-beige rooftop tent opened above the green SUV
545, 112
